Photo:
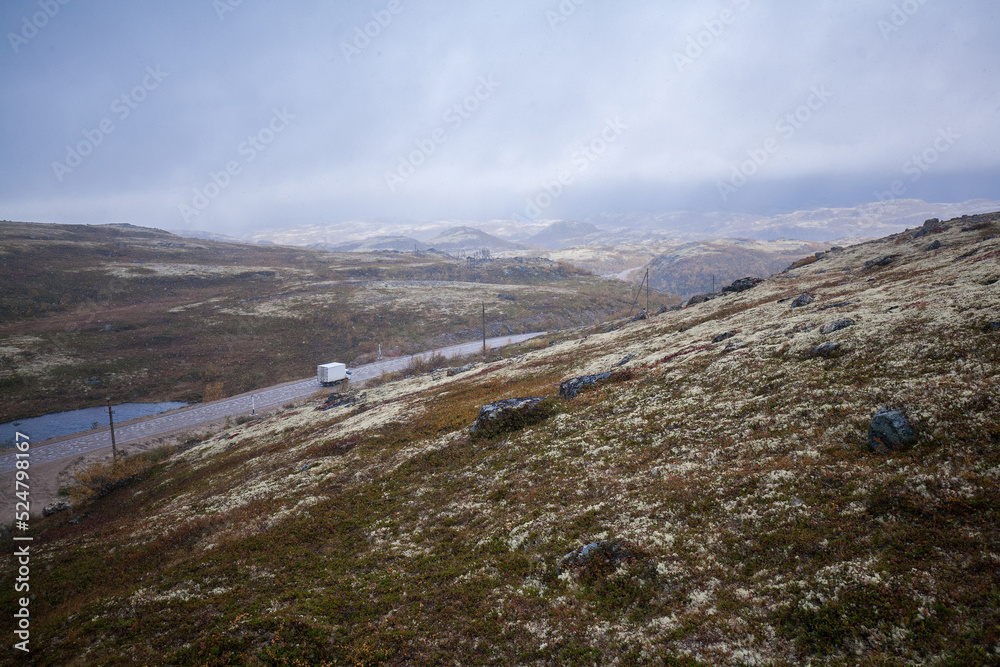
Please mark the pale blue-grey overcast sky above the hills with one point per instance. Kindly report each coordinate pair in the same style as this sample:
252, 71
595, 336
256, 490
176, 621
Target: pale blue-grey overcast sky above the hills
229, 115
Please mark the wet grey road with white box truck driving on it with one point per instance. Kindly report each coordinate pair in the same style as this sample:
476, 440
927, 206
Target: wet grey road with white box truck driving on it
186, 418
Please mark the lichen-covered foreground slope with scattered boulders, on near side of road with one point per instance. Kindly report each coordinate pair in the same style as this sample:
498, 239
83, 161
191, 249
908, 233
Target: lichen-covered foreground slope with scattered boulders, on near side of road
713, 501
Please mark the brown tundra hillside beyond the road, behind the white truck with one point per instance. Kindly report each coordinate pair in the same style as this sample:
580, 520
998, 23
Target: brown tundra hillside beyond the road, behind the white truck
139, 314
